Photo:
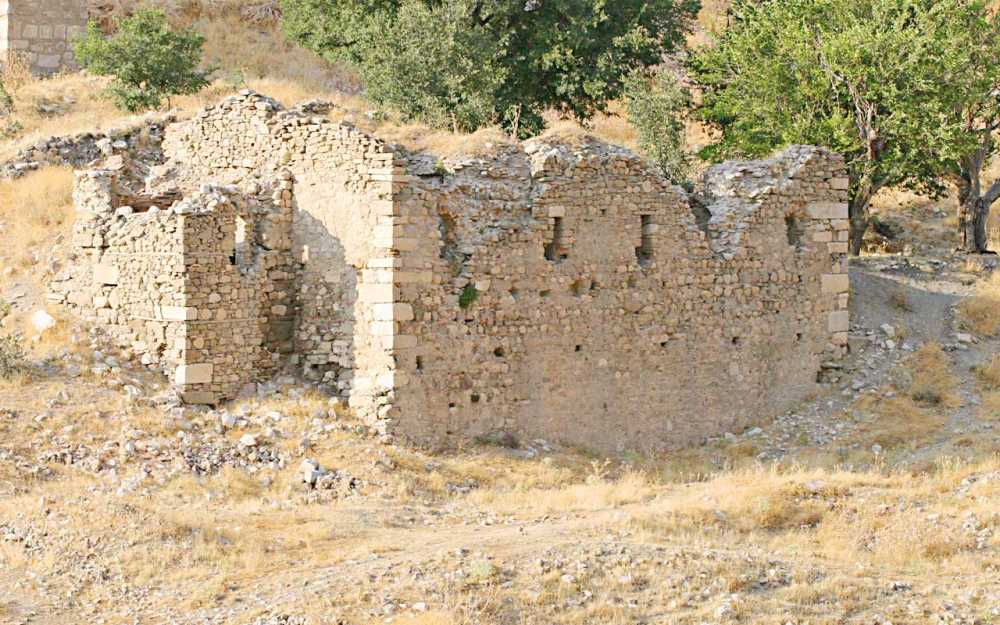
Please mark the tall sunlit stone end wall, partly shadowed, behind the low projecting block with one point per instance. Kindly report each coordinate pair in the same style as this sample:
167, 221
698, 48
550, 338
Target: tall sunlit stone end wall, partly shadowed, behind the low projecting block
340, 185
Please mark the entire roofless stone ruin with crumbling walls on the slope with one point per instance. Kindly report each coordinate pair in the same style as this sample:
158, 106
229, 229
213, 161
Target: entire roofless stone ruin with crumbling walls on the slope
554, 289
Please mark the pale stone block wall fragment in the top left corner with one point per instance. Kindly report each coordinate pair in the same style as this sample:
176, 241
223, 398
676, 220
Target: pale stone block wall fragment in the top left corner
42, 31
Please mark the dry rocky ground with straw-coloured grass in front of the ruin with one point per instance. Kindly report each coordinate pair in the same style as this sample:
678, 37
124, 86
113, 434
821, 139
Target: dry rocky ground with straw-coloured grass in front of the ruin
119, 506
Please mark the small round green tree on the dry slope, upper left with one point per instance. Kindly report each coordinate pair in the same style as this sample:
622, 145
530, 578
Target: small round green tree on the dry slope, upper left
148, 60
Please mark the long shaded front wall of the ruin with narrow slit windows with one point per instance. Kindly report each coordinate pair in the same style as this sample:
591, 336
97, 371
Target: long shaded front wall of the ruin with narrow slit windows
599, 312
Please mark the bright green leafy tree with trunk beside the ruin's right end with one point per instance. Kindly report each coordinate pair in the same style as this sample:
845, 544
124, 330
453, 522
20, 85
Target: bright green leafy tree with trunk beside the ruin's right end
877, 80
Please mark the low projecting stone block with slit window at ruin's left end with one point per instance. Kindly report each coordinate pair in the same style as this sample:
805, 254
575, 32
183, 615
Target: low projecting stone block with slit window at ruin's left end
172, 285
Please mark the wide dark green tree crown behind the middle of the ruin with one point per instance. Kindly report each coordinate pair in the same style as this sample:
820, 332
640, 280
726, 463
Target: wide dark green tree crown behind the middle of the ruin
475, 62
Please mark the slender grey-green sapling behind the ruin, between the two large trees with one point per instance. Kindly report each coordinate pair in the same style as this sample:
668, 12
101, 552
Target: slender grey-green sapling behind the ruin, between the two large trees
656, 104
